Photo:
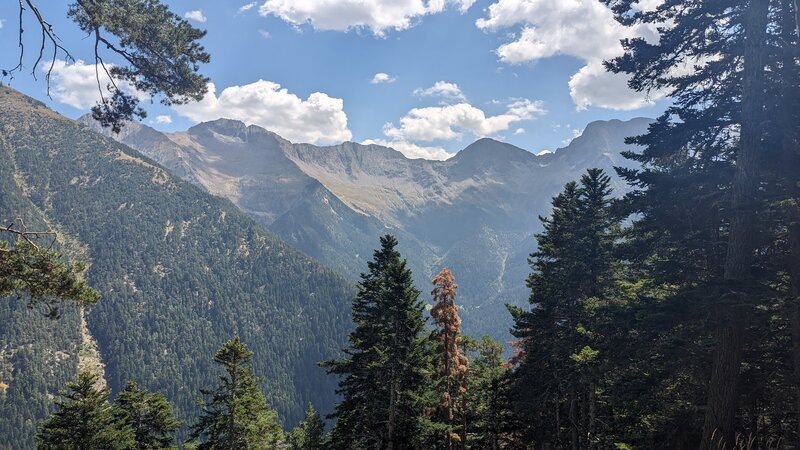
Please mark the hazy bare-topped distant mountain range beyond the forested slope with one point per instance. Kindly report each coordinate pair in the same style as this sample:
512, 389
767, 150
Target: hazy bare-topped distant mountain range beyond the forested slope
475, 213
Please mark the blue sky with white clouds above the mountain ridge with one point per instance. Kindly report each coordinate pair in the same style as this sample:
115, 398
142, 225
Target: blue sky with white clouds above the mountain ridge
427, 77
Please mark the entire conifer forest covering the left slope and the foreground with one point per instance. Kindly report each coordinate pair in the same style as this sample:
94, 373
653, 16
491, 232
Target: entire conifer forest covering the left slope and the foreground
663, 317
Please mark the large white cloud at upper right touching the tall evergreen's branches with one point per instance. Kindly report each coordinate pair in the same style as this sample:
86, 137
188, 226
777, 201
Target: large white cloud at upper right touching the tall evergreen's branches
584, 29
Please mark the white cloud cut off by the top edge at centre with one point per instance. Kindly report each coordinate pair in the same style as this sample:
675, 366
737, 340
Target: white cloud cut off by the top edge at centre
379, 16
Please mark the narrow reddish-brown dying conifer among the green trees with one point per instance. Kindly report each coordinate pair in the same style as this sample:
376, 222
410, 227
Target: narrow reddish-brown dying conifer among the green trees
452, 363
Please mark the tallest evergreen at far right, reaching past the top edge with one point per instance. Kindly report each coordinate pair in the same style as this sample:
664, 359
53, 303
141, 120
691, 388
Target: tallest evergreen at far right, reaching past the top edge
707, 165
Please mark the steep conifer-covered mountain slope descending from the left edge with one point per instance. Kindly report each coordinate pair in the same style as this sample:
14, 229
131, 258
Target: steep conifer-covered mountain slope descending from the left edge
180, 272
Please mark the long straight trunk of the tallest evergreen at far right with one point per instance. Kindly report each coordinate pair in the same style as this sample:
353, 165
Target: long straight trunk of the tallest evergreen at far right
723, 388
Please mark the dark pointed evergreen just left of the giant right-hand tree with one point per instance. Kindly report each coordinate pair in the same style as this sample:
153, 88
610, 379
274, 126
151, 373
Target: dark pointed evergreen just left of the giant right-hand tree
555, 382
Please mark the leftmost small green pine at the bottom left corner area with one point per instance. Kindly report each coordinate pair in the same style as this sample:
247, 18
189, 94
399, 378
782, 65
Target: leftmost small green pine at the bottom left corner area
84, 420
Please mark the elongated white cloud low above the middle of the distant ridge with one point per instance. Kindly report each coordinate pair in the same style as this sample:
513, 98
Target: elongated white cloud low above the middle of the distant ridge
452, 121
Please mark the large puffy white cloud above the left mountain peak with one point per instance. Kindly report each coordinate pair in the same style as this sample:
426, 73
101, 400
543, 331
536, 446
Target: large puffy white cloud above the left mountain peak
318, 119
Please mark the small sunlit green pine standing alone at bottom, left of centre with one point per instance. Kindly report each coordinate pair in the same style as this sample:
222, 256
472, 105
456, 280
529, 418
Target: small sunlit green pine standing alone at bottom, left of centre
236, 414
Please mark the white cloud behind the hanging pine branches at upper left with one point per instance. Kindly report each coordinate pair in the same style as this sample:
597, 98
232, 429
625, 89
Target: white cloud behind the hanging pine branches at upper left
76, 84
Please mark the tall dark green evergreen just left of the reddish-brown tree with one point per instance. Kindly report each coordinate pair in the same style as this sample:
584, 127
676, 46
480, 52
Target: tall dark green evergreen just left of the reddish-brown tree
387, 365
